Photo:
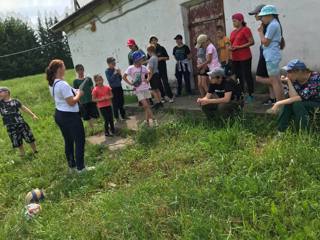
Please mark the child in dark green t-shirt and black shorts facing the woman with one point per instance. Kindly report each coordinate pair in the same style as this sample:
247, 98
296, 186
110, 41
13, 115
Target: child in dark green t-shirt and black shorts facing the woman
88, 109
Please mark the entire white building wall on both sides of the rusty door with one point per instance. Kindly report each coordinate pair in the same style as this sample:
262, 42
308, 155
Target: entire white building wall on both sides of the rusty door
166, 18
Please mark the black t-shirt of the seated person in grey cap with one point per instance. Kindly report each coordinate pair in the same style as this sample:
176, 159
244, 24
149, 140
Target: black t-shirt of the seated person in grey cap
224, 87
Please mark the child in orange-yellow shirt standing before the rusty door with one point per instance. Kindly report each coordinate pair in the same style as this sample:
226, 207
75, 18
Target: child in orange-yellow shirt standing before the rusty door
223, 49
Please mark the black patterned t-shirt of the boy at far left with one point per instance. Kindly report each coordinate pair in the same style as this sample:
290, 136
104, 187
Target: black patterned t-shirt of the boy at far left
10, 112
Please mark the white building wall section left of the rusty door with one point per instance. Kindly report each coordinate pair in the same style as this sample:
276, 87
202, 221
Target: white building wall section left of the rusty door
162, 18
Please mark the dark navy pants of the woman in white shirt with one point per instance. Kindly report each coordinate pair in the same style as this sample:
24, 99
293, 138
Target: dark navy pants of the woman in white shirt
72, 130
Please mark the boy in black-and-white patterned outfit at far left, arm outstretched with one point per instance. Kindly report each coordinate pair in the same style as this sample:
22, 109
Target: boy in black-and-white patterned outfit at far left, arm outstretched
17, 128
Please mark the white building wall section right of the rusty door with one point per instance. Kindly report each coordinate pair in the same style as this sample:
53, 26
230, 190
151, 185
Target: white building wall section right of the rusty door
299, 20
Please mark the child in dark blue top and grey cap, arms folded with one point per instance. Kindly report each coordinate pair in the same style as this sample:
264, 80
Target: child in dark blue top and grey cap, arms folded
114, 78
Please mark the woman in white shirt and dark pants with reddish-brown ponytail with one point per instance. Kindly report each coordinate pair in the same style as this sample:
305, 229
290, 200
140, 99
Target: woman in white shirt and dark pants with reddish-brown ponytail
67, 114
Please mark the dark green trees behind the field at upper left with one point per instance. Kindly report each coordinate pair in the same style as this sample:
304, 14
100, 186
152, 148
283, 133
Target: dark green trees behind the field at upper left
17, 36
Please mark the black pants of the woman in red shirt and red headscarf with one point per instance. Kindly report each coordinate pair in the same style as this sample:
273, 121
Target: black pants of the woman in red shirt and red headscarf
242, 69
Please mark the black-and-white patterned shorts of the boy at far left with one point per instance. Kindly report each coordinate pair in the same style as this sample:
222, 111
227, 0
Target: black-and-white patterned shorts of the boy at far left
18, 132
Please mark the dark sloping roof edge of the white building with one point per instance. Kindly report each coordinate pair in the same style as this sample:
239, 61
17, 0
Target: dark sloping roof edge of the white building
82, 11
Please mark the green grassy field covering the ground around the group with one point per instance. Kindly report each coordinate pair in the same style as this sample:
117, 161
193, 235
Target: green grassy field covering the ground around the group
186, 179
